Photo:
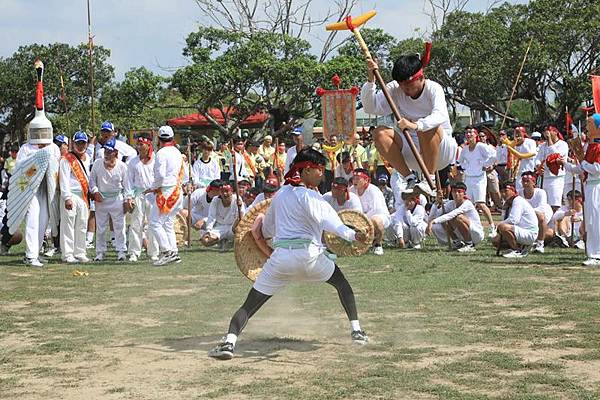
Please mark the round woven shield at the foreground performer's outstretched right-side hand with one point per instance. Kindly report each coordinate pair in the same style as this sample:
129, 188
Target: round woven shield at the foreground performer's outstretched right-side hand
357, 221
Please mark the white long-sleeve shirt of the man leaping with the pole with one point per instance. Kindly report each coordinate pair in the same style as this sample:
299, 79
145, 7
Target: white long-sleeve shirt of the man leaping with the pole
428, 111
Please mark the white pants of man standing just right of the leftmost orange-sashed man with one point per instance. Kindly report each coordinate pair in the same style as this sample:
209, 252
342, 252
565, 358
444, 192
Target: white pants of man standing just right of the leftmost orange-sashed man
113, 208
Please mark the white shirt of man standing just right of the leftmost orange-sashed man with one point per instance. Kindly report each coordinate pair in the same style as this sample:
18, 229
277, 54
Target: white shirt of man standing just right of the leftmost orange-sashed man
110, 183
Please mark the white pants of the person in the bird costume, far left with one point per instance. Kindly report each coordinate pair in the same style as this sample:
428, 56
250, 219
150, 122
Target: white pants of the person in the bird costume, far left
36, 222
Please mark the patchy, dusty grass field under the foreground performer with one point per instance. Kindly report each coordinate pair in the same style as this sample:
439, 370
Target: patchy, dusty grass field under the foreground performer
443, 326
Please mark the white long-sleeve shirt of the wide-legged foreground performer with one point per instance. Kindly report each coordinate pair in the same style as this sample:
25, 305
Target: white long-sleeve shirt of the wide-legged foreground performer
300, 213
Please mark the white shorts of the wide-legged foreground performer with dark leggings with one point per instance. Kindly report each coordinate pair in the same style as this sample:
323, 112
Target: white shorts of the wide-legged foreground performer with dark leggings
286, 265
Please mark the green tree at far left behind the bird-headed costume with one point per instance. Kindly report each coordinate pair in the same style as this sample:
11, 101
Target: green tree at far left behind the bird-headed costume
17, 78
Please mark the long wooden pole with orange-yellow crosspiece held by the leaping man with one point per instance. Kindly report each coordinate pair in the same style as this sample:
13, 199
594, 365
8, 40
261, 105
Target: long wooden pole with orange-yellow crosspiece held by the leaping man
352, 25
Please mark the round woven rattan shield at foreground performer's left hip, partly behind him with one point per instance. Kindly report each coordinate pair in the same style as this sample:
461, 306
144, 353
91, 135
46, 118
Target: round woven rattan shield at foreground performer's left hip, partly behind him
248, 257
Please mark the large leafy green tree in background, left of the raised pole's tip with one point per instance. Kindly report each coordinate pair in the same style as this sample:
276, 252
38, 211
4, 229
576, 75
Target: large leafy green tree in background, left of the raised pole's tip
246, 73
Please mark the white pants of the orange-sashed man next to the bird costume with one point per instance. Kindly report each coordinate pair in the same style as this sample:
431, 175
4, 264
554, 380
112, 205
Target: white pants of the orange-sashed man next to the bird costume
73, 228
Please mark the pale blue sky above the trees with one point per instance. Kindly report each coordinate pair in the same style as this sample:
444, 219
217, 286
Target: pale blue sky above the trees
152, 33
